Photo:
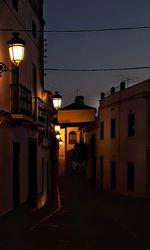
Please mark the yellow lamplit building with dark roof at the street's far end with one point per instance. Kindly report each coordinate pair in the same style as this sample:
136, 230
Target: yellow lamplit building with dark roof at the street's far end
71, 118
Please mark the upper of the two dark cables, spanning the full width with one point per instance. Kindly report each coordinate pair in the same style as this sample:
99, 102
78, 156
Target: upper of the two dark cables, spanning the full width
80, 30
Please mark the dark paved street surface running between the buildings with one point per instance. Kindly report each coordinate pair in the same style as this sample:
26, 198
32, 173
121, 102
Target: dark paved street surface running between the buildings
88, 220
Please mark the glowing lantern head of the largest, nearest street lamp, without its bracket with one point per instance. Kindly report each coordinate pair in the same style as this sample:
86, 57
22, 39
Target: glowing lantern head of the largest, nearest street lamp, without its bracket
16, 49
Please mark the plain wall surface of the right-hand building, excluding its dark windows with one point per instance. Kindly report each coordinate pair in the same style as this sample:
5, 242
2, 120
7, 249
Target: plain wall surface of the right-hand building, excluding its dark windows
123, 148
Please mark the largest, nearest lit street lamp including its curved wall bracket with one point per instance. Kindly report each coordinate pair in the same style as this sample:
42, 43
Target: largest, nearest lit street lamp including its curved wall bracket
16, 52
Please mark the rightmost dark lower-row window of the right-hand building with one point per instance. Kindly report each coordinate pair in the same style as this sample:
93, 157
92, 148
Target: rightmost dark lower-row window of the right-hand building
131, 176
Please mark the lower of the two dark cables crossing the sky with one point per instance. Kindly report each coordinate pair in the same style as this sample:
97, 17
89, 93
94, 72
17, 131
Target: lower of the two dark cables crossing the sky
97, 70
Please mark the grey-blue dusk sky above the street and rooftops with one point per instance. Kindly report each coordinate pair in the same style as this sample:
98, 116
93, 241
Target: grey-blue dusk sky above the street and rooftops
95, 50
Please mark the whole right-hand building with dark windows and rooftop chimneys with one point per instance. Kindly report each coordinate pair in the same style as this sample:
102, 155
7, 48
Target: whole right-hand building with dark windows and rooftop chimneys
124, 140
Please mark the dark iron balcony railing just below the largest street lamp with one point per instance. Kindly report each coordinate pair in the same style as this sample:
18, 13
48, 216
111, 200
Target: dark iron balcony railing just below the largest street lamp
21, 100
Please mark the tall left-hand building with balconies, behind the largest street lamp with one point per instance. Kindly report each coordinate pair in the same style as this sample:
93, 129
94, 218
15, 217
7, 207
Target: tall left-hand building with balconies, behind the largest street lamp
24, 132
